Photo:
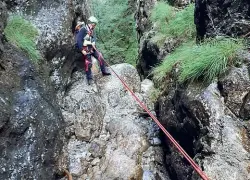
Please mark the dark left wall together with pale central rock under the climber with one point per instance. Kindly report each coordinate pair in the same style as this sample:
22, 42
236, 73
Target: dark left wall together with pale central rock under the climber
52, 120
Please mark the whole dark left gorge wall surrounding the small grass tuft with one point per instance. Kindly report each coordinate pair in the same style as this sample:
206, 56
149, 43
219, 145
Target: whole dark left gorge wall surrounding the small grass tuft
31, 123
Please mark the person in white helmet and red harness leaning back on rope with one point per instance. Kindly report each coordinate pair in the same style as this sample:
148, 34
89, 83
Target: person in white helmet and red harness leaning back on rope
85, 42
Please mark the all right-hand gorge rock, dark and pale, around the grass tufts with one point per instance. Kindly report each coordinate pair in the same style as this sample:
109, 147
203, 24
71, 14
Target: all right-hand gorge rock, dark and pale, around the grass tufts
211, 122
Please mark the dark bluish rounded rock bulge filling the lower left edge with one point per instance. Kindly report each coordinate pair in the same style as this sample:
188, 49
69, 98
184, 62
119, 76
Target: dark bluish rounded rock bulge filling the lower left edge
31, 123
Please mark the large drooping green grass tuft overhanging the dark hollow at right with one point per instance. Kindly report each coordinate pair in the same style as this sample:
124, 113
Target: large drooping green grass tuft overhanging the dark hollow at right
205, 61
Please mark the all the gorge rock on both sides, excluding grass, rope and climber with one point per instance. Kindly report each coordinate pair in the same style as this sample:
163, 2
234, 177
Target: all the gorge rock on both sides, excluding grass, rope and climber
51, 120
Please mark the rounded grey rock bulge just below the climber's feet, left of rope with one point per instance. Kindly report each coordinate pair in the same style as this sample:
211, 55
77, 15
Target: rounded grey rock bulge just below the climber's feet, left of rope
84, 110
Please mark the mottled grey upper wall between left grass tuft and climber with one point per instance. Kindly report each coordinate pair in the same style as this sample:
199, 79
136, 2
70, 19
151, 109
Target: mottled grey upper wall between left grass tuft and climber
54, 21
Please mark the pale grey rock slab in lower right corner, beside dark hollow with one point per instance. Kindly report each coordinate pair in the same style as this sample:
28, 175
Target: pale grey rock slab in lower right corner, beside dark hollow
230, 159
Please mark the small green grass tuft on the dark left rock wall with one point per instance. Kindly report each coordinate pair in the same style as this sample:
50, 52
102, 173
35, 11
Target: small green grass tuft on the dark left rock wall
22, 34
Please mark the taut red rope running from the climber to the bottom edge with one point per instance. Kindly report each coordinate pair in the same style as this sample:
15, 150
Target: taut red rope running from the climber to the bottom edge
181, 150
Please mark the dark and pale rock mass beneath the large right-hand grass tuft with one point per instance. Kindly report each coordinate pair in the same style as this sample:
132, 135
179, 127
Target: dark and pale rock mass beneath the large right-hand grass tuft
207, 123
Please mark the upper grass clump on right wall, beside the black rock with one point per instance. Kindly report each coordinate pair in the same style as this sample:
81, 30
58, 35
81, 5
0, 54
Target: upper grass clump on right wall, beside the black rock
171, 23
